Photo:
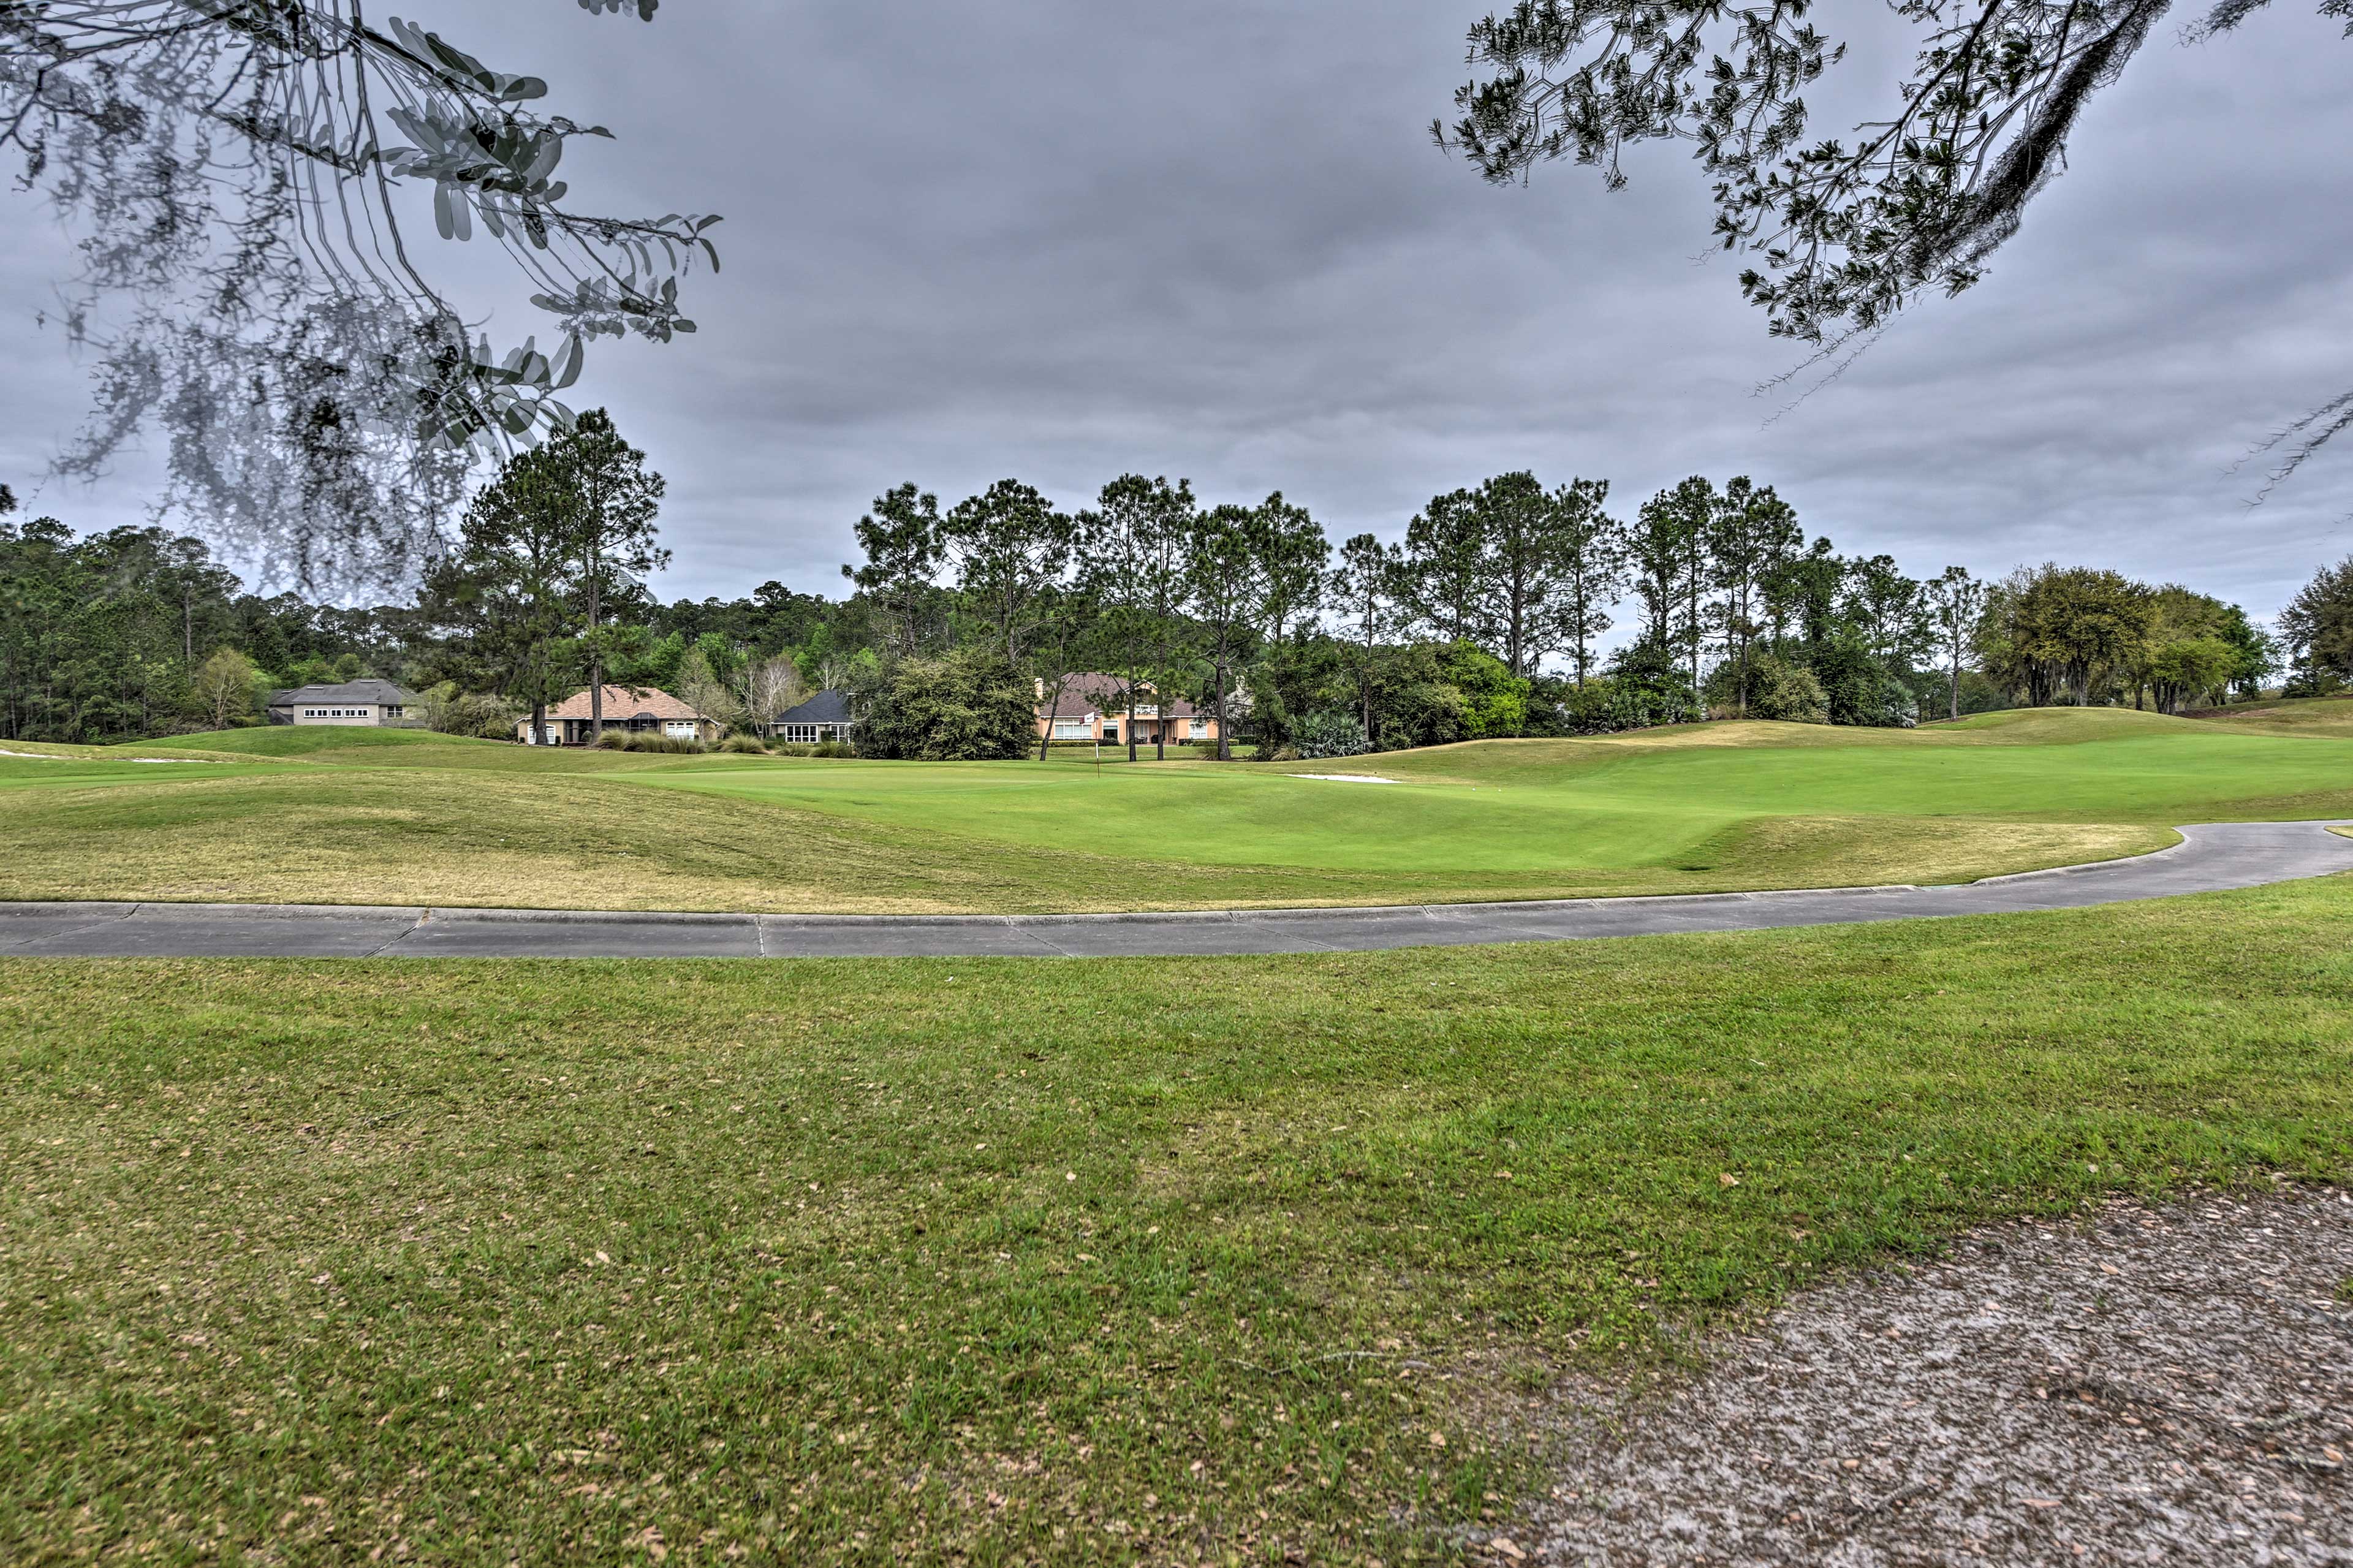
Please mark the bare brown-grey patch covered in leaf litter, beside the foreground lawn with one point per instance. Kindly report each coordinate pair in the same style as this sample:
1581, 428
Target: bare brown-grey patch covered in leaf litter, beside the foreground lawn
2159, 1386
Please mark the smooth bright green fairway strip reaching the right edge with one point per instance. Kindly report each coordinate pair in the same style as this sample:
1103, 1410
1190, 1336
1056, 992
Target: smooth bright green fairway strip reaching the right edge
1651, 799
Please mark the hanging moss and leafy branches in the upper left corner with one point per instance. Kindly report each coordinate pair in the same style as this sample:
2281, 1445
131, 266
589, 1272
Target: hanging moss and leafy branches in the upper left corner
246, 288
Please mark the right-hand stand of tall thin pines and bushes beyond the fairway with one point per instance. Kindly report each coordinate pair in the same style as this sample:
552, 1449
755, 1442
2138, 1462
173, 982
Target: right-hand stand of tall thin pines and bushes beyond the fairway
1488, 618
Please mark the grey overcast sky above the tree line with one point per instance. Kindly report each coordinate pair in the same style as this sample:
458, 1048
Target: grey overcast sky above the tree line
1069, 239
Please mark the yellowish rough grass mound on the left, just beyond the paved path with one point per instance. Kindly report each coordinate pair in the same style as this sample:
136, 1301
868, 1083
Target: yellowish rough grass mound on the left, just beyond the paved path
549, 842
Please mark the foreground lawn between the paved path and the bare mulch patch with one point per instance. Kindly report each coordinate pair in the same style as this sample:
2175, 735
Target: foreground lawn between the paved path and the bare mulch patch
1032, 1261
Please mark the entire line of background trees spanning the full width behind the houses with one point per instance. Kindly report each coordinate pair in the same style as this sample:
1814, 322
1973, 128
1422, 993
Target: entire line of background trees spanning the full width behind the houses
1491, 616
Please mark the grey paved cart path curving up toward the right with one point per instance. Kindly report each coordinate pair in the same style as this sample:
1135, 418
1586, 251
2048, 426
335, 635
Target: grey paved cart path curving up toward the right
2211, 858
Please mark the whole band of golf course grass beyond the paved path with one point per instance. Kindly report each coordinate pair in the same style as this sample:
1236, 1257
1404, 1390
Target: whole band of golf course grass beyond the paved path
406, 818
